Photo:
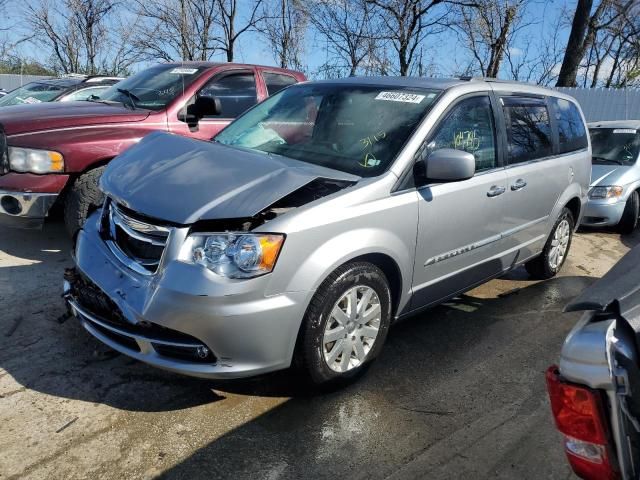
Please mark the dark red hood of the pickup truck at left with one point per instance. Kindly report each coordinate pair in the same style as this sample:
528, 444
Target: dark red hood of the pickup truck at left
54, 115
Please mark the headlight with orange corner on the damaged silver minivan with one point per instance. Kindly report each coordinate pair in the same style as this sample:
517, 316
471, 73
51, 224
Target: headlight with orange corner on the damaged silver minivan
234, 255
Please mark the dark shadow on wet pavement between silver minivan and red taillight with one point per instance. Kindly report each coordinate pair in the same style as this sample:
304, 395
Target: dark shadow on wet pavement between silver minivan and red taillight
460, 370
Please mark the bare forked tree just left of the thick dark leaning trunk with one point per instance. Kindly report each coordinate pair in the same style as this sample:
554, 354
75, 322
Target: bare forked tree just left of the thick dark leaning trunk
487, 30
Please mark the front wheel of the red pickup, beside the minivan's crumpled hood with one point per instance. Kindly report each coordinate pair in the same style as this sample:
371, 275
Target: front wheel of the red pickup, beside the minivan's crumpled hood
83, 197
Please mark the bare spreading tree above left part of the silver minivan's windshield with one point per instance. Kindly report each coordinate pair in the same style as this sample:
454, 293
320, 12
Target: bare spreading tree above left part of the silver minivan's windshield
347, 28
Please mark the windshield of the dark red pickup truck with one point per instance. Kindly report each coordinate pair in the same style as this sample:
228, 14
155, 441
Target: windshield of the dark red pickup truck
154, 88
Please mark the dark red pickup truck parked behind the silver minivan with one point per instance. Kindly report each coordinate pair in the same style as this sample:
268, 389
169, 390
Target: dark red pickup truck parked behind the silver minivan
54, 153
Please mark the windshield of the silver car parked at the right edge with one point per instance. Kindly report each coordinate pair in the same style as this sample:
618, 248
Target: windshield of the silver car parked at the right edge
614, 146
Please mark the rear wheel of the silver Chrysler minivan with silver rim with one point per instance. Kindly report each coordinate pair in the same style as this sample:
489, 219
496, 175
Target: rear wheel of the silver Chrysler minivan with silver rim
547, 265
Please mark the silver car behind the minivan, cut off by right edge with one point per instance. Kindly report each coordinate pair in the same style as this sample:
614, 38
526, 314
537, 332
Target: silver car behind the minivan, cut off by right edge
615, 176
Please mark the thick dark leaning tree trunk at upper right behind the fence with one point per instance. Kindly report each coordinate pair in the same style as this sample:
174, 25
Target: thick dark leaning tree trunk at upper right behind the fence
584, 29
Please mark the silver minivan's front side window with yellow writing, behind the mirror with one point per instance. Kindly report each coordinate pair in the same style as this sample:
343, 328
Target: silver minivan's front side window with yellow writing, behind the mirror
469, 127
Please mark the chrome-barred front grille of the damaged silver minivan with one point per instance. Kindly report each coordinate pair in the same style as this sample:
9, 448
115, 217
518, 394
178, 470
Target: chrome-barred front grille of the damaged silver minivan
138, 243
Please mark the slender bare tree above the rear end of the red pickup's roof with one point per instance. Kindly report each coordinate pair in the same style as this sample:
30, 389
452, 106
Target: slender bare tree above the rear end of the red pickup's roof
285, 25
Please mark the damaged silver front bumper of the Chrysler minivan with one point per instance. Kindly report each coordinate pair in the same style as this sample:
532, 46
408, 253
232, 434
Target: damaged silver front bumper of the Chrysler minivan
184, 318
